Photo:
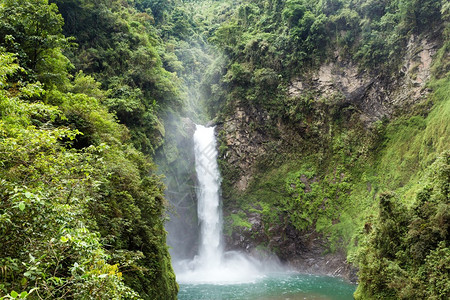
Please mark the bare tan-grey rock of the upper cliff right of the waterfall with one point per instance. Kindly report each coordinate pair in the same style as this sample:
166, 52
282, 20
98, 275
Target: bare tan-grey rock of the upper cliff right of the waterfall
342, 82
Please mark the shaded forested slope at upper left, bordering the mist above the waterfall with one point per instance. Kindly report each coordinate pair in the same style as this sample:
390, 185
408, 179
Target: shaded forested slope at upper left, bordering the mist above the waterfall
119, 48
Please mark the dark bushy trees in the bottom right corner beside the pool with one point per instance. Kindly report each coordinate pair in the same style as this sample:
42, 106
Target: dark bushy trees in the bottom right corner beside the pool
409, 247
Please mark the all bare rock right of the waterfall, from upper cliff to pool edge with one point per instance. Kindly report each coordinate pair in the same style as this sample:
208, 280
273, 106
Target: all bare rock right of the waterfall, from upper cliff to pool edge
245, 143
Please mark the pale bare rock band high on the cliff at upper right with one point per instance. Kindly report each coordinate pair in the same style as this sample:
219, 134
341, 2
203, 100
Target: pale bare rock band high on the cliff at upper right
374, 95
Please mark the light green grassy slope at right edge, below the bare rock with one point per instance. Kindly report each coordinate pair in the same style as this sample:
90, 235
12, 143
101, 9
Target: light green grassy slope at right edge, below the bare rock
413, 142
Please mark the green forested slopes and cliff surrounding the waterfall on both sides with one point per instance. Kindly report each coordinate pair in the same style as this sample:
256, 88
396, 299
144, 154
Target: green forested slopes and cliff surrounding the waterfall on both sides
332, 117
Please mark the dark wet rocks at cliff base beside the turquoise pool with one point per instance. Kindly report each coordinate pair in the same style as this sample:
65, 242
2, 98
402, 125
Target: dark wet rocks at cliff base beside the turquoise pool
300, 250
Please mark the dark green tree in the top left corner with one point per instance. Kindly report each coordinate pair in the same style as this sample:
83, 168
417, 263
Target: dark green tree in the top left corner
32, 29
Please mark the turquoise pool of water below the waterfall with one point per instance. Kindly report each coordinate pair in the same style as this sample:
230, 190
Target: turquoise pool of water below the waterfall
273, 287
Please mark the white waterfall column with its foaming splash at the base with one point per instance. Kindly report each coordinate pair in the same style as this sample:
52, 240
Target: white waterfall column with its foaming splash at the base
212, 265
